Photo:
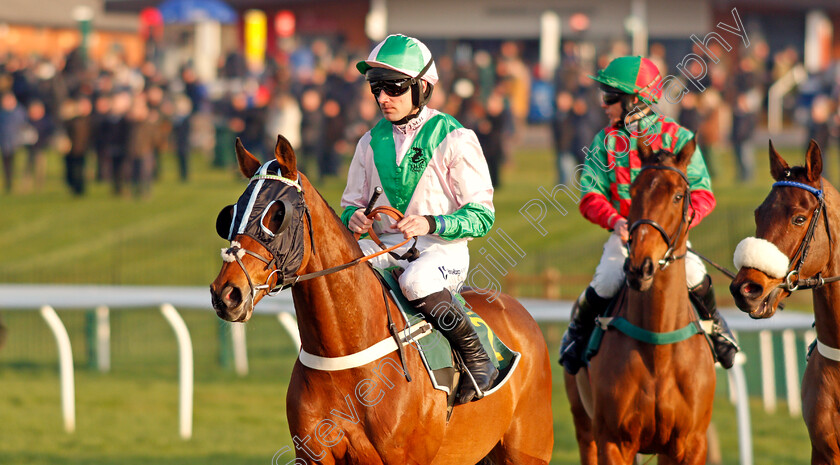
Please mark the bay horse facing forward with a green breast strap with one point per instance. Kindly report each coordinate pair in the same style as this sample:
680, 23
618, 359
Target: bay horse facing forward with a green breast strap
652, 392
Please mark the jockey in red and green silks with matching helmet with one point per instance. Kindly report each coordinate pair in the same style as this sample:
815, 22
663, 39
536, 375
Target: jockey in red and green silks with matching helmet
630, 86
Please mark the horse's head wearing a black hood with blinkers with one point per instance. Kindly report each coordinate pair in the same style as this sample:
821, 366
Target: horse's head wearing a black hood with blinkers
266, 228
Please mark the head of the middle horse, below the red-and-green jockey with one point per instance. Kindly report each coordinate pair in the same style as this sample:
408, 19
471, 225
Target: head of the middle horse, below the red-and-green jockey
658, 213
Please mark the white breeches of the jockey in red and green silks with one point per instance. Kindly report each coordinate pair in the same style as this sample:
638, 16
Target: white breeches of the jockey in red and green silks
609, 275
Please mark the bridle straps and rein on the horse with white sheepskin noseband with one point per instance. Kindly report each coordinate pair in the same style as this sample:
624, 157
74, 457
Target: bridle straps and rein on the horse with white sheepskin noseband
793, 281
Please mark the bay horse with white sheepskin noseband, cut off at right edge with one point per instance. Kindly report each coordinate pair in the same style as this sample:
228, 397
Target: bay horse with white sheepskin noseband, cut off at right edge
794, 249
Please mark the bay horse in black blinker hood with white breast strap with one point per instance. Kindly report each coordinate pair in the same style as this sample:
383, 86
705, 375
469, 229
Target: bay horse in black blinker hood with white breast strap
371, 414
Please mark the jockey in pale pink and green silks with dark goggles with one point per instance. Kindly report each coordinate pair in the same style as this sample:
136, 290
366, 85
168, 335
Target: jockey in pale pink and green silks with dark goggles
432, 170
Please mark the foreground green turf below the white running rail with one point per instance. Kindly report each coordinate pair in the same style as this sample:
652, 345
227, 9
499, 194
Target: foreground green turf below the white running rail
129, 416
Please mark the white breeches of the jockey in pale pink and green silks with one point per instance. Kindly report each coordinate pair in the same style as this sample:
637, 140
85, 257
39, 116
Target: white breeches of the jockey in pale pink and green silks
442, 264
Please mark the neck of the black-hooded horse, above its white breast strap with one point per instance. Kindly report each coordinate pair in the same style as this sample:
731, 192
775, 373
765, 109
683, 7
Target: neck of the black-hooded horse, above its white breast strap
343, 312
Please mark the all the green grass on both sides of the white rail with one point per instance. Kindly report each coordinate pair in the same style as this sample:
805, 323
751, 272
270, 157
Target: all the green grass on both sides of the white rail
129, 416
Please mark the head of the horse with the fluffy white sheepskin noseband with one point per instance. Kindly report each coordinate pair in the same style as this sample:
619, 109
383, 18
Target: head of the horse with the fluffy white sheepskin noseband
790, 241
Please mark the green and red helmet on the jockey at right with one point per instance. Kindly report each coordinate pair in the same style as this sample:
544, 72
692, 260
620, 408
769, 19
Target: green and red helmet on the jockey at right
633, 75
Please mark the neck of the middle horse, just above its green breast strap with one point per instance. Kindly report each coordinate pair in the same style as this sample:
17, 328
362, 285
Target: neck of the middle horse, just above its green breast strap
665, 306
